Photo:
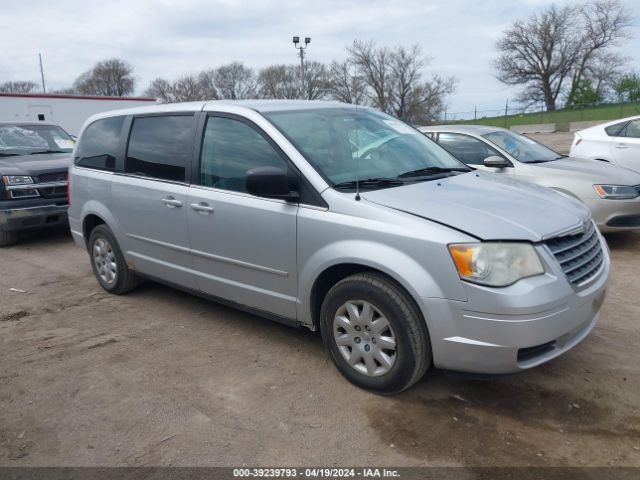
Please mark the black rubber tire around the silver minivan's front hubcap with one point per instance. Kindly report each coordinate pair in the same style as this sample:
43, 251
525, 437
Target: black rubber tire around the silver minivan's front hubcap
413, 347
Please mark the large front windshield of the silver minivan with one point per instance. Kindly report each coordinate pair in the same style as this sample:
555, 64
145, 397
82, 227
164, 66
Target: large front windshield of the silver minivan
348, 144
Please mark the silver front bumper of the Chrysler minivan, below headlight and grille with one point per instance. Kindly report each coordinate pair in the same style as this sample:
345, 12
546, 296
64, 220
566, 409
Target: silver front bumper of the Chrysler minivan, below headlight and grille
510, 329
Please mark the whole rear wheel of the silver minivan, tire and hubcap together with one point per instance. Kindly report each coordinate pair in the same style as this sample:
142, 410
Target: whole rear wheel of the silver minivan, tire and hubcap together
108, 263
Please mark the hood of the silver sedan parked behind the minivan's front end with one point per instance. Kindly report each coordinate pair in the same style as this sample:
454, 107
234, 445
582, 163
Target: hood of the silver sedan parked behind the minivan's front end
593, 171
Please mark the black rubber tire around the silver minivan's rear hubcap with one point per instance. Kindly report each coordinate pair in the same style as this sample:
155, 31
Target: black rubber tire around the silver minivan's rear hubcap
125, 280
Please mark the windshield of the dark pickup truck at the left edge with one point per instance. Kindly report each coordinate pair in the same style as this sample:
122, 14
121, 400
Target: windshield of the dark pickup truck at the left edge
27, 139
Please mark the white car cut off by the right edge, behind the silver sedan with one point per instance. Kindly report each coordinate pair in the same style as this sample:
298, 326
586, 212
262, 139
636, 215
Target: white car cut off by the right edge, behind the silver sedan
616, 142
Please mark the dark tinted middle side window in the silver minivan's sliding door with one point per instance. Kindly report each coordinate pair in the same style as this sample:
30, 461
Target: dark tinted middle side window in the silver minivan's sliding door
160, 147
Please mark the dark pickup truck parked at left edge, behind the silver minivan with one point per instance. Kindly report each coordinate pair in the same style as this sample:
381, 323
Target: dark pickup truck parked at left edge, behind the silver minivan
34, 160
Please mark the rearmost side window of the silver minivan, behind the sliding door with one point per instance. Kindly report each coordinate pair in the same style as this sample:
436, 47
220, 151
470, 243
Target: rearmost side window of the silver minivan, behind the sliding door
98, 146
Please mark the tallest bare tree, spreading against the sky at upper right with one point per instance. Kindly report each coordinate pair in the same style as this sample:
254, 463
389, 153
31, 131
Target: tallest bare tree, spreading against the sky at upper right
553, 50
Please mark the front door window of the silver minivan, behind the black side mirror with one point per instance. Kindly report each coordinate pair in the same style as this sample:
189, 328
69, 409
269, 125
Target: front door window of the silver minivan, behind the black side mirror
229, 150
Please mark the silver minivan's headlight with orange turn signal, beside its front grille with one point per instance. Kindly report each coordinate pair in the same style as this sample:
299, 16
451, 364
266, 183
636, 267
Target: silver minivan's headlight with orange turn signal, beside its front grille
495, 264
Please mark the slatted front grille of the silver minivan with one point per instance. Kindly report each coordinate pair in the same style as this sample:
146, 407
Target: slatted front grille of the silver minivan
580, 256
